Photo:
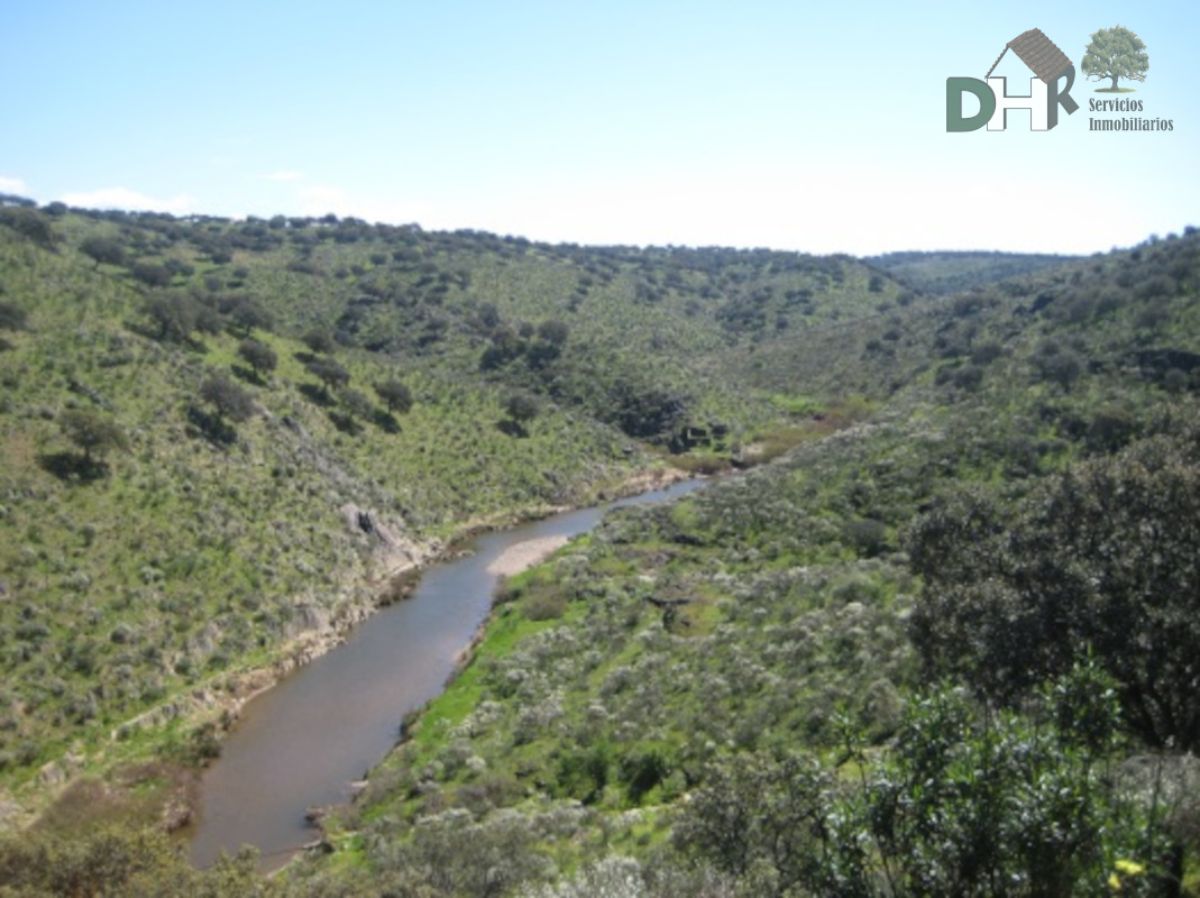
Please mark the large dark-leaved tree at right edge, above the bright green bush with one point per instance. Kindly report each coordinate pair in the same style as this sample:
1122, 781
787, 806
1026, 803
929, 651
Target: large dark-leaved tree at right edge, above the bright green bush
1105, 559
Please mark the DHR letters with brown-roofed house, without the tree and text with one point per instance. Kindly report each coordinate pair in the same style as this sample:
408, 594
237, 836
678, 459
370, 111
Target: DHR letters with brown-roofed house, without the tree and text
1049, 67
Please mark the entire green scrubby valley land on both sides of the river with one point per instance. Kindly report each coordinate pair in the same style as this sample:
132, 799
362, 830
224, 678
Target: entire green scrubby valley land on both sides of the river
980, 519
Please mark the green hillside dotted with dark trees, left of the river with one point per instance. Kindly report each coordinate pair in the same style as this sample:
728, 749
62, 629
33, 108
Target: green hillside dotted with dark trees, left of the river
225, 441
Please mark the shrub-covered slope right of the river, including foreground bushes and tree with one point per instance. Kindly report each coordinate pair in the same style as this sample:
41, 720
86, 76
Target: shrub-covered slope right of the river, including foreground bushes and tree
760, 708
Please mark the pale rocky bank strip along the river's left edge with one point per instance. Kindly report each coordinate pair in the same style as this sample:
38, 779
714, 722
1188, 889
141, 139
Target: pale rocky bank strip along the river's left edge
85, 788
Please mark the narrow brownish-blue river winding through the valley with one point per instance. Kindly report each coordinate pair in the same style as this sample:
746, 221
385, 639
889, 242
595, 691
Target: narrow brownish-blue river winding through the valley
307, 740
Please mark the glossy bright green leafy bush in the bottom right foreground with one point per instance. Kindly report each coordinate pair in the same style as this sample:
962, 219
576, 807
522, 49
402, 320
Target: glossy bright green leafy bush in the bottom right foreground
965, 800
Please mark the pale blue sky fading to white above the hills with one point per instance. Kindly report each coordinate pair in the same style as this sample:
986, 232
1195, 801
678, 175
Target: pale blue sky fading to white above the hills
785, 125
